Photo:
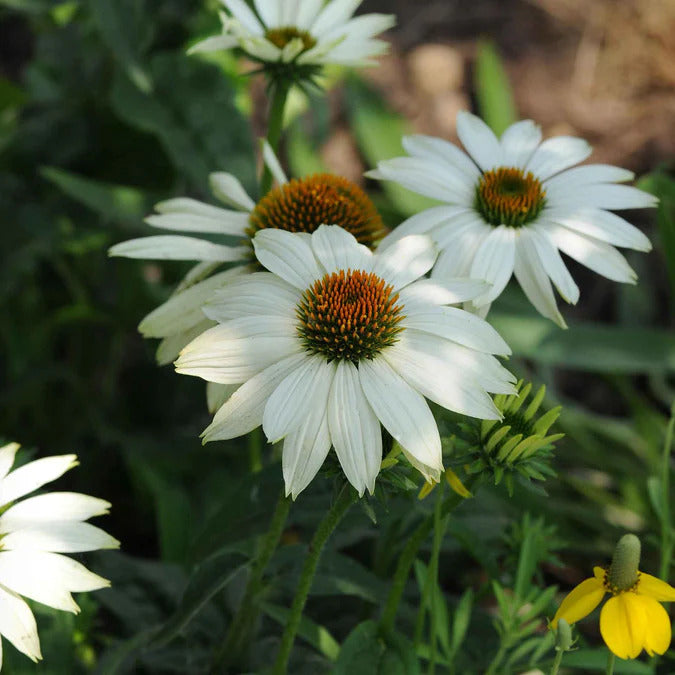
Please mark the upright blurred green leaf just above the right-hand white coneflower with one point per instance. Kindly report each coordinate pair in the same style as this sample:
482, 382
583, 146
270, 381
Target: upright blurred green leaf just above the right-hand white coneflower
495, 97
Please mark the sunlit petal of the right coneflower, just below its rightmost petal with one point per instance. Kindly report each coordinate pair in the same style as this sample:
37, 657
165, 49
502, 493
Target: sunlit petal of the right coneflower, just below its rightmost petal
602, 225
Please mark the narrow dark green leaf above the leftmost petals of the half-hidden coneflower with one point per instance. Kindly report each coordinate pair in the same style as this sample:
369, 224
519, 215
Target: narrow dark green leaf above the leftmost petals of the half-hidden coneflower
111, 202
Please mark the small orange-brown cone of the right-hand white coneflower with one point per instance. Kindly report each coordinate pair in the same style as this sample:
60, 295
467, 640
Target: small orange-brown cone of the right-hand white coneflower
509, 196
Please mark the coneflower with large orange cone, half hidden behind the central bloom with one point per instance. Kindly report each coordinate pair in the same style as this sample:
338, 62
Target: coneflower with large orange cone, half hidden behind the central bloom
298, 205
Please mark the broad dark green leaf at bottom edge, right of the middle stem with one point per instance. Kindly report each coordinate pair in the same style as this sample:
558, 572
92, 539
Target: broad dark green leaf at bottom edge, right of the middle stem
365, 652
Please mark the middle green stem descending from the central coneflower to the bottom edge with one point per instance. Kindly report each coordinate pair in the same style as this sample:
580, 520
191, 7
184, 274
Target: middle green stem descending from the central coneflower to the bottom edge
323, 531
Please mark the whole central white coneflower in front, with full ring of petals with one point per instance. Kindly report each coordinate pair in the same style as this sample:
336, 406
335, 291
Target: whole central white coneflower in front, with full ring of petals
335, 340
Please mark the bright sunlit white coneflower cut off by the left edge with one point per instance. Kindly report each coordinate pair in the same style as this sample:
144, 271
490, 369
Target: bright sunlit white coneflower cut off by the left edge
34, 532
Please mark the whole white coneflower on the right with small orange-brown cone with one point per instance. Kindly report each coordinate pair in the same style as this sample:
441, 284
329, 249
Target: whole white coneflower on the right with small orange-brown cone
513, 204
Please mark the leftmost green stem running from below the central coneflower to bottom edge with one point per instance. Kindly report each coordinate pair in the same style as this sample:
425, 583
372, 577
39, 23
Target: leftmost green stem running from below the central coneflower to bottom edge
232, 647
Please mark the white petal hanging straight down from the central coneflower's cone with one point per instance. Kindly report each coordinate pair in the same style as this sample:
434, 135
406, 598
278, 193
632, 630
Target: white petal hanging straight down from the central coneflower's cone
354, 429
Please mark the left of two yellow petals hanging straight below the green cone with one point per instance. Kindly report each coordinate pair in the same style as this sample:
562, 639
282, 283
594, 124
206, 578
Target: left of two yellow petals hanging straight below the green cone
623, 624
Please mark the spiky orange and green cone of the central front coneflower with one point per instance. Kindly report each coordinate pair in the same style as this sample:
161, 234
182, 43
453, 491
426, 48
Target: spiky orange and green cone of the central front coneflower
350, 315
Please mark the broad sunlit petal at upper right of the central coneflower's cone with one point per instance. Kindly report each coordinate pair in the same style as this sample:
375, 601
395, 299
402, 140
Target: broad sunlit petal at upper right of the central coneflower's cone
405, 260
